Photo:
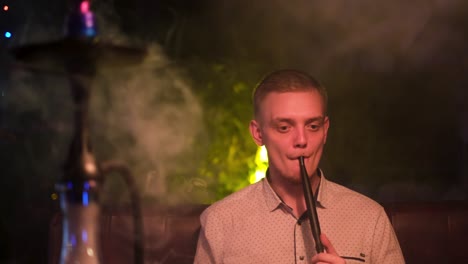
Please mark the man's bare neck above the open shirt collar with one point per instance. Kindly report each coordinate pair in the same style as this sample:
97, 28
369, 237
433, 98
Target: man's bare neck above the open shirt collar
292, 193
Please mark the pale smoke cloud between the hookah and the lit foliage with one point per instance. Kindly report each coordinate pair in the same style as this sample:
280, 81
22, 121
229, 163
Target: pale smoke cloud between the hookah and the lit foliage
148, 116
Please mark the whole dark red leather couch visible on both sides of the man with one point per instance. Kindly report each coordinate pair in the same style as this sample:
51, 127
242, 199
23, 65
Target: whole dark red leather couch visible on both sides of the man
428, 232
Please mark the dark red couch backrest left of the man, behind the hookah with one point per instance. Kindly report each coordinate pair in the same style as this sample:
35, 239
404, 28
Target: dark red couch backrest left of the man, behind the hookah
170, 234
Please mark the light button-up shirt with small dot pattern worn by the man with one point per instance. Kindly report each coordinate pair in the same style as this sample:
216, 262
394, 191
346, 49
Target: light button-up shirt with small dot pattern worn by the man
253, 225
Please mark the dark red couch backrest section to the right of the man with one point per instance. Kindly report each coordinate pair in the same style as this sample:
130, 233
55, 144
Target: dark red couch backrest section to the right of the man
431, 232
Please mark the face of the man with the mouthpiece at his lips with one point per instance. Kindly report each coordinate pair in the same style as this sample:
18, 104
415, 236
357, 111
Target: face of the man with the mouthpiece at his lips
290, 125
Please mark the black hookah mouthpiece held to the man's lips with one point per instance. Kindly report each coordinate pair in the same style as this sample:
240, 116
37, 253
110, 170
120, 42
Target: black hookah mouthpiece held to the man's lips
311, 207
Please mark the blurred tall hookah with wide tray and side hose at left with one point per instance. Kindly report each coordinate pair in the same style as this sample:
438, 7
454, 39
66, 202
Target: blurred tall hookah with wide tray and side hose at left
77, 55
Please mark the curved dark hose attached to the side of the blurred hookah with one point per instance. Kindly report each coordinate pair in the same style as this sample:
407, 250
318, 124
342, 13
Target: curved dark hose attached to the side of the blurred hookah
124, 171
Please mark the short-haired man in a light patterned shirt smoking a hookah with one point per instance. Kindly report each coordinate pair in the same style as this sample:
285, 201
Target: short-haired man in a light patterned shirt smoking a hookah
267, 222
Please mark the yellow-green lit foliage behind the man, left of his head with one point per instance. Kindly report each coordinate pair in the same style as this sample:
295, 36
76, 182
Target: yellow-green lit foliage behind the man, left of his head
226, 146
